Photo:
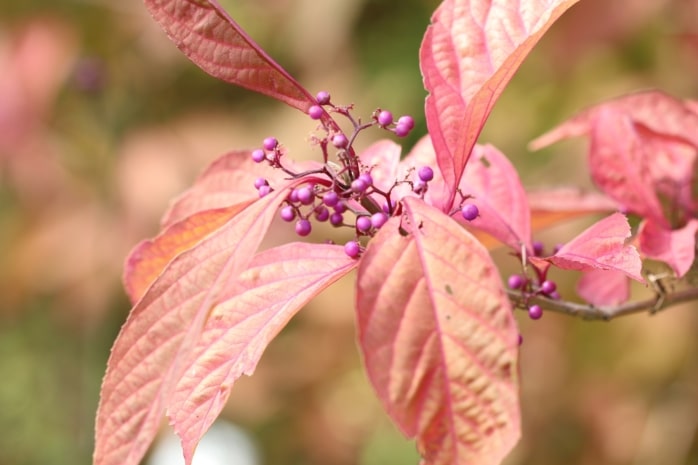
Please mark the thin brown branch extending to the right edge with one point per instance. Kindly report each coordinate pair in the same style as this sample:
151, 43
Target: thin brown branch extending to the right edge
591, 312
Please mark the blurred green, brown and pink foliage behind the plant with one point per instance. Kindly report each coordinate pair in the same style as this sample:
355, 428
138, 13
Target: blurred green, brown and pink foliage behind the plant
102, 122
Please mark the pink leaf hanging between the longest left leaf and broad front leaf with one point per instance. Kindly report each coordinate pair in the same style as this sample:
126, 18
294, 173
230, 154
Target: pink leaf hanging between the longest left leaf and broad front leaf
277, 284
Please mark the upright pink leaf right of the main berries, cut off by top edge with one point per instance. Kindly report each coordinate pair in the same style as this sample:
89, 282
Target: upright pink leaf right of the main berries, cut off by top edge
469, 53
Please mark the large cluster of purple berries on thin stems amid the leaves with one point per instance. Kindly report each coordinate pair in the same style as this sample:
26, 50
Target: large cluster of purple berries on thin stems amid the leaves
342, 192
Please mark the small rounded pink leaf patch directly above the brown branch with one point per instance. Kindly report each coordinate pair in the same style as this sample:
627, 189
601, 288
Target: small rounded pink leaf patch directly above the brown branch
604, 287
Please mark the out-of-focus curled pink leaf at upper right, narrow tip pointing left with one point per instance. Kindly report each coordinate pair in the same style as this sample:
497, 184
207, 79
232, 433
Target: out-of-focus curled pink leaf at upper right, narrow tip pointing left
643, 146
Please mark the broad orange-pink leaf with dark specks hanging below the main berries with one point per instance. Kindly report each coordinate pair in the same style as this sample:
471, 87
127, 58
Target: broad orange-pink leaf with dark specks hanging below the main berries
439, 339
